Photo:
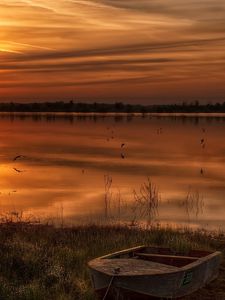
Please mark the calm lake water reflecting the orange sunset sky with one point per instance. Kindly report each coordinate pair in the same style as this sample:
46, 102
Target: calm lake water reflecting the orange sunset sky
66, 158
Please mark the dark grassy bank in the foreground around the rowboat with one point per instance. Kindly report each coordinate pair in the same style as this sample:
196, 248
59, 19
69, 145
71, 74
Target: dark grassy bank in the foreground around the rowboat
43, 262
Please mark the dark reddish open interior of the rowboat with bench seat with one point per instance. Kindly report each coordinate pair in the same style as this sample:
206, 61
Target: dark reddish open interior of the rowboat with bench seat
163, 256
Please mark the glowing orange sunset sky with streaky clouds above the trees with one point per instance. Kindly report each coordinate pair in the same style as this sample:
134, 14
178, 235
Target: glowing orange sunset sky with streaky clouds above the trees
137, 51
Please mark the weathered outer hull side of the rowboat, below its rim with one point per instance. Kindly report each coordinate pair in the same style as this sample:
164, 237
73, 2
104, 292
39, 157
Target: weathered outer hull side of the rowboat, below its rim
172, 285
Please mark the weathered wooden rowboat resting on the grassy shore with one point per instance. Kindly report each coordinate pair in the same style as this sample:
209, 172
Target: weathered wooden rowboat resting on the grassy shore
143, 272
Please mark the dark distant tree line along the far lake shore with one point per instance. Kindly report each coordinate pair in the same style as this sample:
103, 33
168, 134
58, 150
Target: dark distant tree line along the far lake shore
61, 106
